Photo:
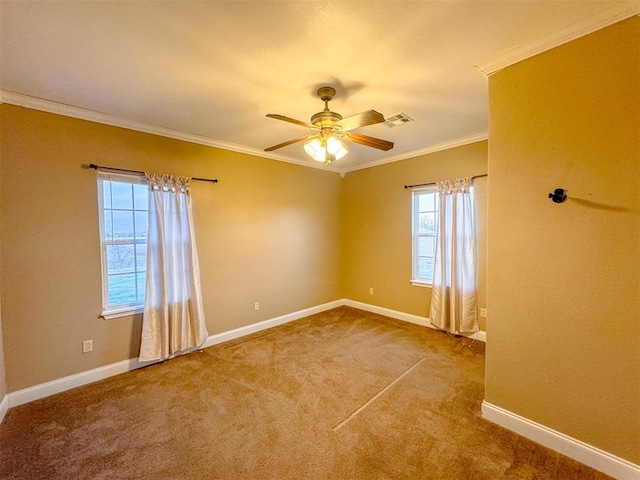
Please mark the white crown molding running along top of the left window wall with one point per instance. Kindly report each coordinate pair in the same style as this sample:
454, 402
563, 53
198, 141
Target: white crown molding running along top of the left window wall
49, 106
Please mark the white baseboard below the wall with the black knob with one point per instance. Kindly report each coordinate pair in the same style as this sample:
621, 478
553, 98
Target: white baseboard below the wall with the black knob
564, 444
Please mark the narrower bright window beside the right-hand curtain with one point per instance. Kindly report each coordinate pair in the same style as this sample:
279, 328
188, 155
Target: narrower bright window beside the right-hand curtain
425, 226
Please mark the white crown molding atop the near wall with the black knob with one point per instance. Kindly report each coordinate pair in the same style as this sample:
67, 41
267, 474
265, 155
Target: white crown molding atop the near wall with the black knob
597, 21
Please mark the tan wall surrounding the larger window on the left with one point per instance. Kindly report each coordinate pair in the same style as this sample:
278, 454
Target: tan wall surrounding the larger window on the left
268, 232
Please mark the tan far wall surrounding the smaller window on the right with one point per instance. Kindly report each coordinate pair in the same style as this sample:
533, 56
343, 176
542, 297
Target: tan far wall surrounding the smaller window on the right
376, 226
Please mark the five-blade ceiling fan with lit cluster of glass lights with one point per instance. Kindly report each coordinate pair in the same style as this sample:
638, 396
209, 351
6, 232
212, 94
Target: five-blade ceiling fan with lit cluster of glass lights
329, 128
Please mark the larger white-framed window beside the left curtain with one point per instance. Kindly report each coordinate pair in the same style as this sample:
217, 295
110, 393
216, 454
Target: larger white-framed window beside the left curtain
123, 204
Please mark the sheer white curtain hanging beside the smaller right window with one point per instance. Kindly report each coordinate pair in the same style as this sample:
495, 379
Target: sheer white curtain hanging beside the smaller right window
453, 296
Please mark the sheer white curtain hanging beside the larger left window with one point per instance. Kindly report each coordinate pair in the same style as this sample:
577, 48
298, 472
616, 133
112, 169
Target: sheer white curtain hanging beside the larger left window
173, 320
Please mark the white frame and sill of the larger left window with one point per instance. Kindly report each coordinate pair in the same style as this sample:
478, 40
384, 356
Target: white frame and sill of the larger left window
129, 308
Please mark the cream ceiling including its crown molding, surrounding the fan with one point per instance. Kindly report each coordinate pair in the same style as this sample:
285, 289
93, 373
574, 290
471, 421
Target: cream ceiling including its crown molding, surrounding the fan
209, 72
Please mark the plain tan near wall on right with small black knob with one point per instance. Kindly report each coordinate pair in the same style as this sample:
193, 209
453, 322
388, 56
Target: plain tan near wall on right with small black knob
564, 279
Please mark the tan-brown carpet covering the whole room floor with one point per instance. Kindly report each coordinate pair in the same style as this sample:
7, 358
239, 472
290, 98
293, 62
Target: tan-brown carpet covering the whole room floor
344, 394
